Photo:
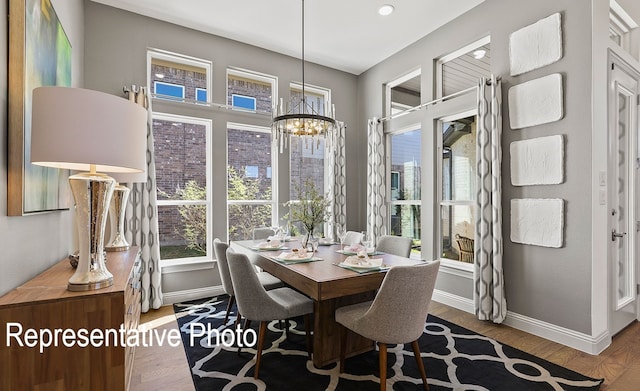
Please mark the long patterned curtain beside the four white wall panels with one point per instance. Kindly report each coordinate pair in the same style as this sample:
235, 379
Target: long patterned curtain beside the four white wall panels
489, 300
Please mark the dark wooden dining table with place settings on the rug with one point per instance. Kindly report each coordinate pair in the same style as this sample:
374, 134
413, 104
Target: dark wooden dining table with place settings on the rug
329, 285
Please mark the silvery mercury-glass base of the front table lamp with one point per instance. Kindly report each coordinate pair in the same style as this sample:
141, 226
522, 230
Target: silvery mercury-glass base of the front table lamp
92, 193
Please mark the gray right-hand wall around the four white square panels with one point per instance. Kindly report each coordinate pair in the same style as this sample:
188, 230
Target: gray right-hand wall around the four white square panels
552, 285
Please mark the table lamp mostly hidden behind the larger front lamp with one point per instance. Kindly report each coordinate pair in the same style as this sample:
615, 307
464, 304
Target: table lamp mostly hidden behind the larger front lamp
118, 207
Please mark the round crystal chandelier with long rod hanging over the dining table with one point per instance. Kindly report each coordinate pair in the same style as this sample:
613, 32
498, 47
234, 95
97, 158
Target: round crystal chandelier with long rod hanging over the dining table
301, 118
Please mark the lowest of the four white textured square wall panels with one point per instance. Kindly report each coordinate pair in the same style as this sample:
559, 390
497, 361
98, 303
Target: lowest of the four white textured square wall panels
539, 222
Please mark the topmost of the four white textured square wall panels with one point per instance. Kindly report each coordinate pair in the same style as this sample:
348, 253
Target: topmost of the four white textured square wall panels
536, 45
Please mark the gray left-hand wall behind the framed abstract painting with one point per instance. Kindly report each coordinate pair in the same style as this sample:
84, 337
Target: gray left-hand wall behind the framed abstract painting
30, 244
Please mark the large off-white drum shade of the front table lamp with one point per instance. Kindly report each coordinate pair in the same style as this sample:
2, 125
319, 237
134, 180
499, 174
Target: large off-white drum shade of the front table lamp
74, 128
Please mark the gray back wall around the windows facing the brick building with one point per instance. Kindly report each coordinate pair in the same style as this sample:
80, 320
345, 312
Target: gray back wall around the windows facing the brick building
116, 44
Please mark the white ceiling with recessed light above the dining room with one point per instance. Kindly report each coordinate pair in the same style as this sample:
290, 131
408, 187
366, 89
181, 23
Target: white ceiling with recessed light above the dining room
343, 34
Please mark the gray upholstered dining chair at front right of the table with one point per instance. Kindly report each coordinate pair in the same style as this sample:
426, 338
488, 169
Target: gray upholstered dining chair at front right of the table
396, 315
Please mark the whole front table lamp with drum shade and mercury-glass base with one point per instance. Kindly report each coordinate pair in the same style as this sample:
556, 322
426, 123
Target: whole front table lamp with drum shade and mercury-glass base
79, 129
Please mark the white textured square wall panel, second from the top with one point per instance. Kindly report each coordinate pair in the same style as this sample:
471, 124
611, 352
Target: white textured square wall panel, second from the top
536, 102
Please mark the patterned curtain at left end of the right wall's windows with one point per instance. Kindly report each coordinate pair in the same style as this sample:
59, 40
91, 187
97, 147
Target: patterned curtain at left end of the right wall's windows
376, 183
